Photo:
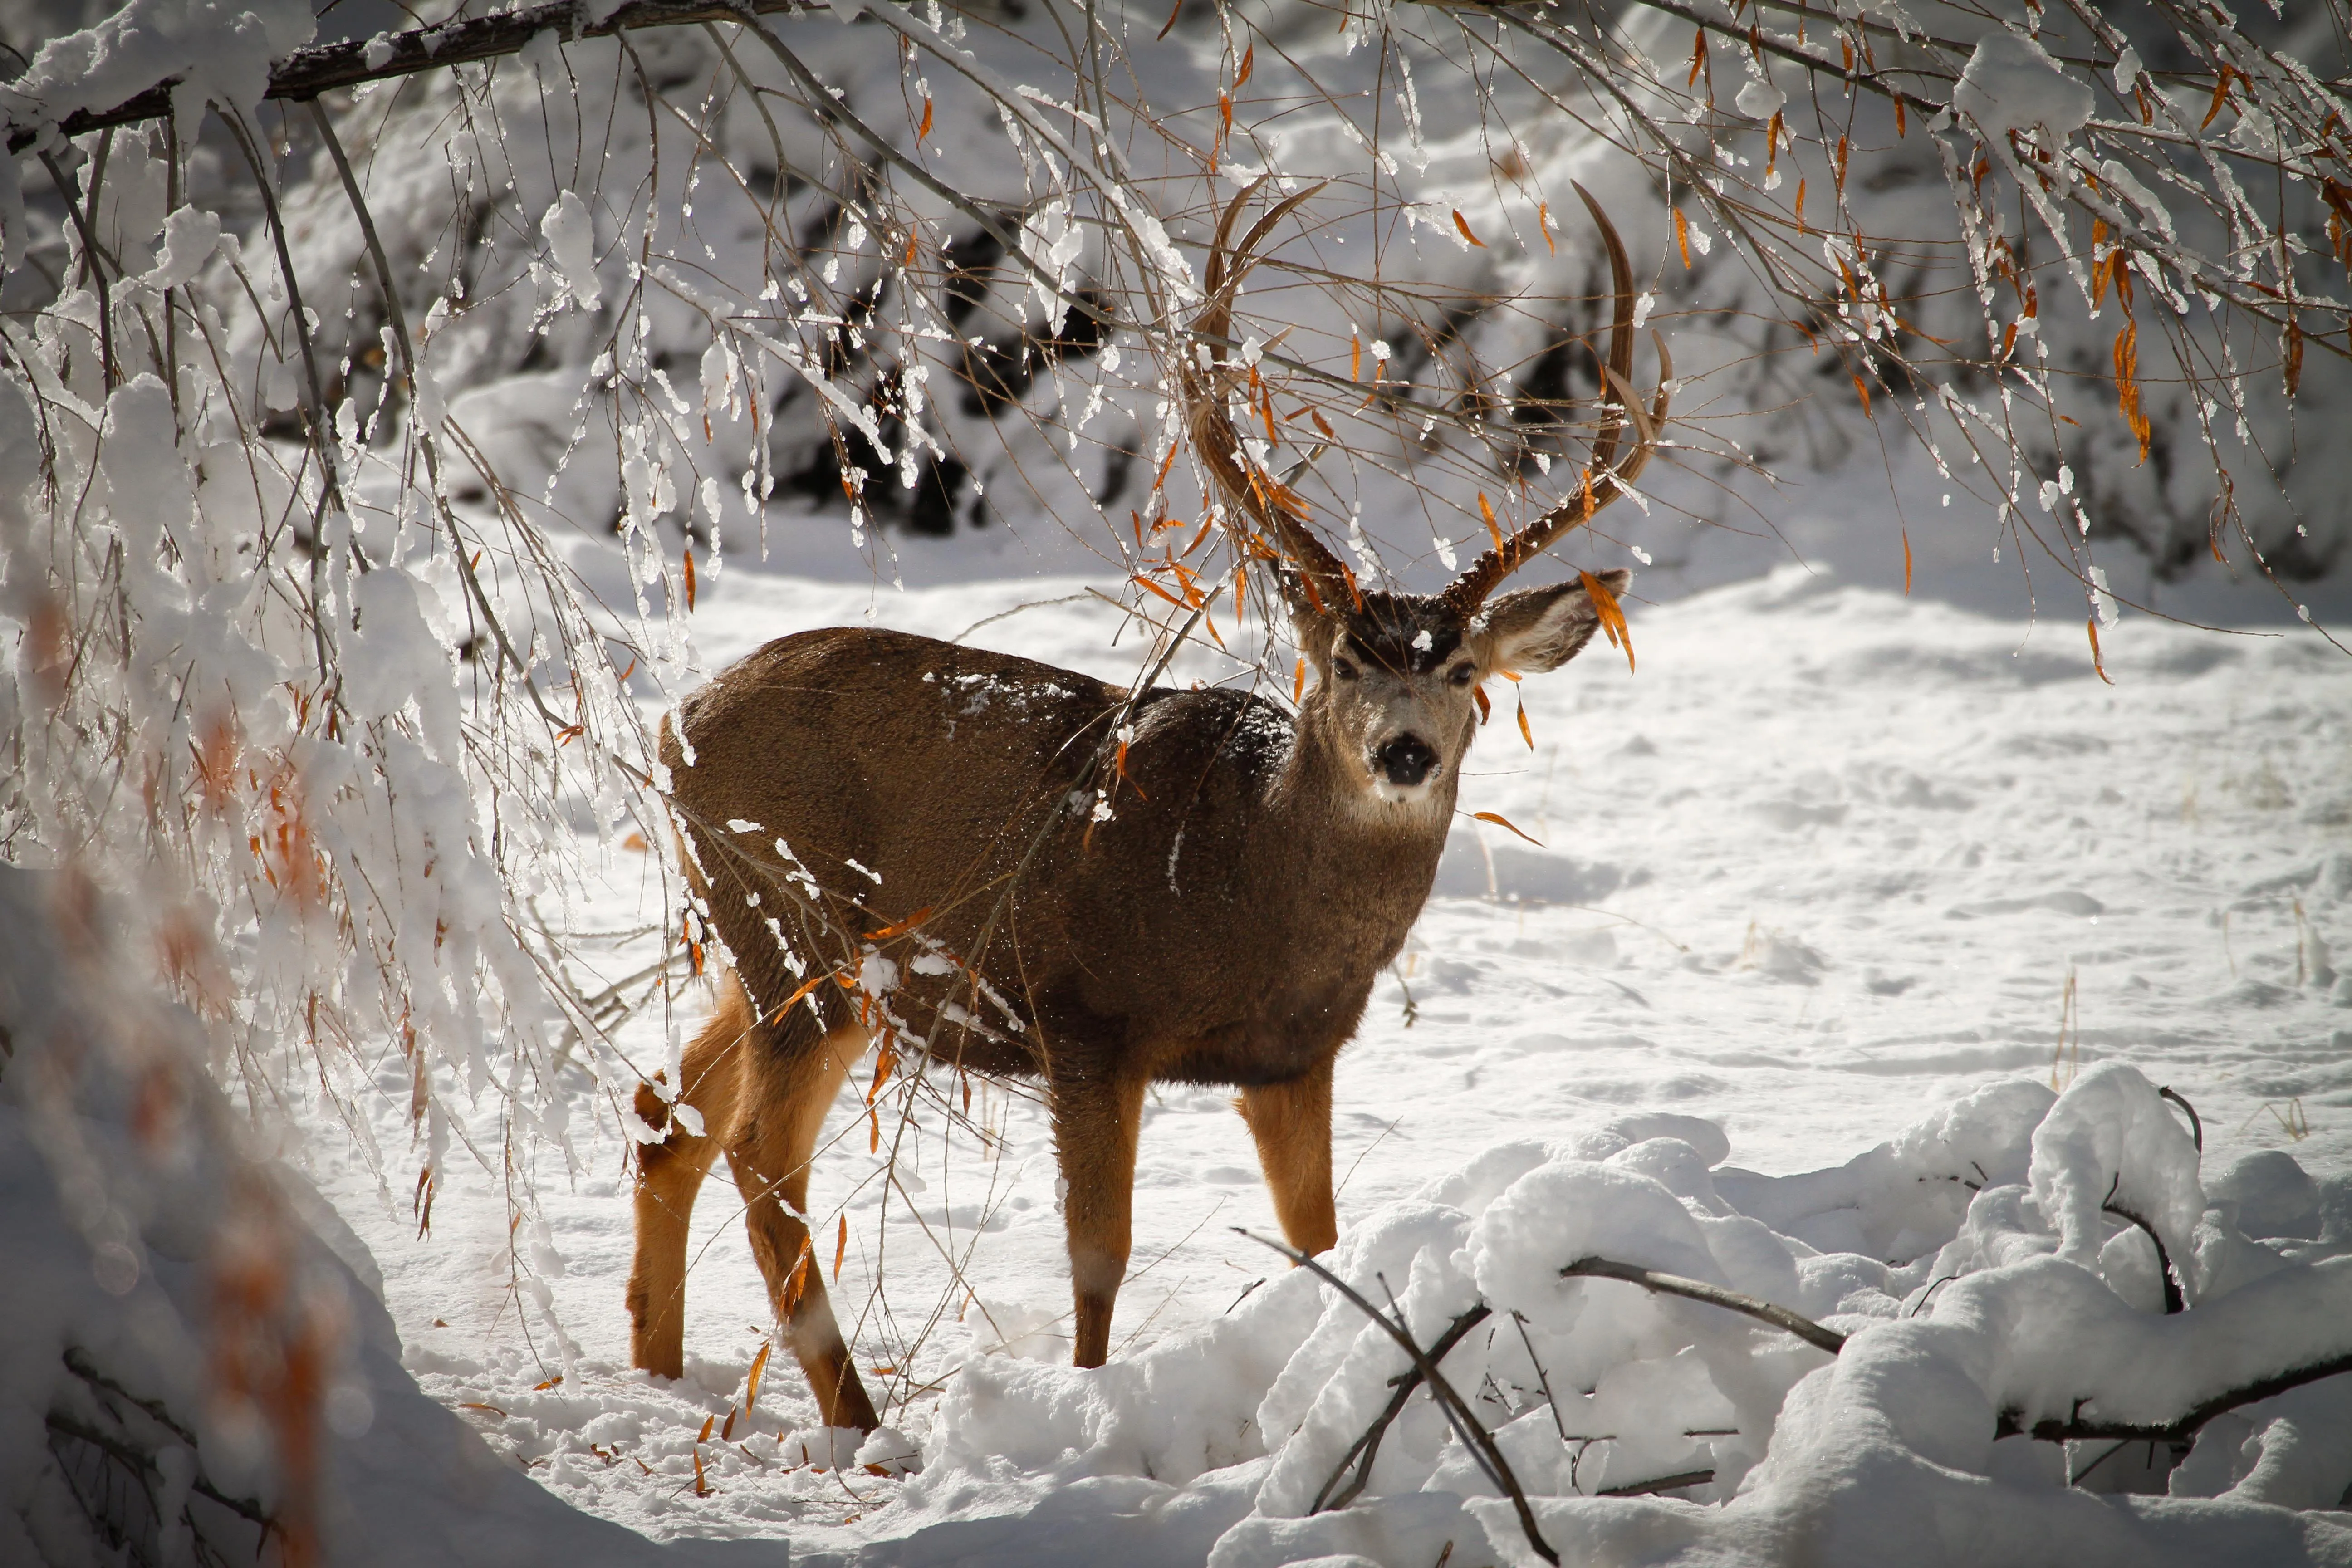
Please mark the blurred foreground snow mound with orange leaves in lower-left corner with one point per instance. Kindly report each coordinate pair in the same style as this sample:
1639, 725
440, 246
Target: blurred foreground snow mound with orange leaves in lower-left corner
196, 1367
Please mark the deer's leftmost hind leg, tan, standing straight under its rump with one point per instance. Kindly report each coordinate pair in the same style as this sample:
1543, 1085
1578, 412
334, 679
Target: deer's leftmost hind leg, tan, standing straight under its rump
669, 1177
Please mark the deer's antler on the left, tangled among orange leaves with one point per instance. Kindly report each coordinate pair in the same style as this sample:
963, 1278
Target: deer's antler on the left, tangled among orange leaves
1314, 577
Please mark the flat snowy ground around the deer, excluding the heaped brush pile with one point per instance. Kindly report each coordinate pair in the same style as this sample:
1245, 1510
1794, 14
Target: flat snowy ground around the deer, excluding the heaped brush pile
1822, 866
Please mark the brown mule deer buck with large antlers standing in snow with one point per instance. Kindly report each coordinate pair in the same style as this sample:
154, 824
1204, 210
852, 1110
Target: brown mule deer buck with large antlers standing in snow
855, 793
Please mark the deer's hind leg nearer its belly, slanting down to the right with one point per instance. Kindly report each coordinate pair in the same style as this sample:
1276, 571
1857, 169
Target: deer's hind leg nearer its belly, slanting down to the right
794, 1078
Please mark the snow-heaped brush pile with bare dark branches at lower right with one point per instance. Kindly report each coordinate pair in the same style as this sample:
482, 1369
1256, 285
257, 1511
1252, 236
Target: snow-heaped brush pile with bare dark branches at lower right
2005, 1334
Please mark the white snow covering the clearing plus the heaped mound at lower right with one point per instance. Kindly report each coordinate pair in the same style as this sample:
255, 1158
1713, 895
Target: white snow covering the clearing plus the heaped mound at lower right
1777, 1007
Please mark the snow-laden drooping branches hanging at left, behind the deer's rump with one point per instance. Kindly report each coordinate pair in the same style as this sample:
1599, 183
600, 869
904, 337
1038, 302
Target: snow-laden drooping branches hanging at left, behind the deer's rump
333, 737
